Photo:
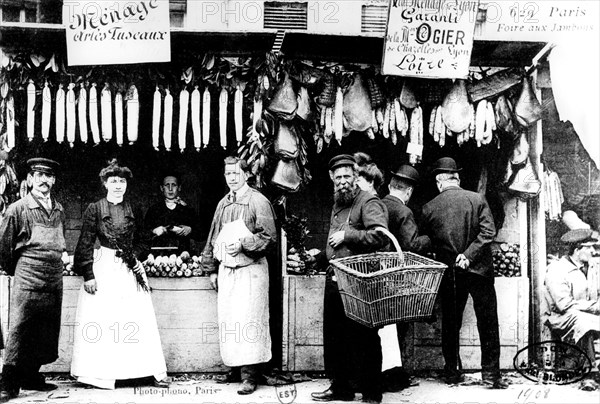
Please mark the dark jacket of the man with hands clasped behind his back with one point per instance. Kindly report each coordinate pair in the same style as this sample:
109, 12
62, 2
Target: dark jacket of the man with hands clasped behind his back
460, 222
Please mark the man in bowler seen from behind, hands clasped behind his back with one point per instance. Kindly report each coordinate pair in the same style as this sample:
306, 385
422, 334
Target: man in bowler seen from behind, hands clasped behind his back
461, 228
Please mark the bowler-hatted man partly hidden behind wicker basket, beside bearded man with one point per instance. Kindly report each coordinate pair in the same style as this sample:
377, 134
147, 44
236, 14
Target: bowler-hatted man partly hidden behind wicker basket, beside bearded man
402, 225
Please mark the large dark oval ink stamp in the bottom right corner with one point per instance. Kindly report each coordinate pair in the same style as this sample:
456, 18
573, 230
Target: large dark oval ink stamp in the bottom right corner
553, 362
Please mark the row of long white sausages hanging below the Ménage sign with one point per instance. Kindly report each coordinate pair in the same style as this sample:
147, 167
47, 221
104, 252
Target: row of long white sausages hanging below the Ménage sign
81, 110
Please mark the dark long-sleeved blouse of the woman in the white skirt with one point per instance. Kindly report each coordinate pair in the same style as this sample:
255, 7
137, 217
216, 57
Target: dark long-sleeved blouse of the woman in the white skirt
98, 219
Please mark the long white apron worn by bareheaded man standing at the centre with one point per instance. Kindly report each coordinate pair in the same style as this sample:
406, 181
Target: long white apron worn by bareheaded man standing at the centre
242, 303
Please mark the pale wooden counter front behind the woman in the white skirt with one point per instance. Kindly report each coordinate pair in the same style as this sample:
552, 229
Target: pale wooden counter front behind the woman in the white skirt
186, 312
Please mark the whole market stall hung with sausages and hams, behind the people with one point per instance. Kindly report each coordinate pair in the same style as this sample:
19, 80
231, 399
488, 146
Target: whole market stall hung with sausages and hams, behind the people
287, 113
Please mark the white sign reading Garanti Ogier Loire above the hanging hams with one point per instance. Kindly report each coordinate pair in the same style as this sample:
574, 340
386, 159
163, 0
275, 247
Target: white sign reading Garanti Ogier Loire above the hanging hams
429, 38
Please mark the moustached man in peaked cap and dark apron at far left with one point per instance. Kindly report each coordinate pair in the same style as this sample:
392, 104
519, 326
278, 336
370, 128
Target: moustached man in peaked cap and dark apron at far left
31, 247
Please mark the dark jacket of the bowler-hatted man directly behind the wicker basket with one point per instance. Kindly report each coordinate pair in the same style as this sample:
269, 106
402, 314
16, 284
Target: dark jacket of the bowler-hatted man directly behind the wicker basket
402, 225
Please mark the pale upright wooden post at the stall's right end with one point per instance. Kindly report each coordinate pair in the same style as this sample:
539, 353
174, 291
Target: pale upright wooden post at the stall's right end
536, 229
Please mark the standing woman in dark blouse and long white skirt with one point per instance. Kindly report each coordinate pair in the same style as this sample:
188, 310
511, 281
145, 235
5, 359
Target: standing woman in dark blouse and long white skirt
116, 335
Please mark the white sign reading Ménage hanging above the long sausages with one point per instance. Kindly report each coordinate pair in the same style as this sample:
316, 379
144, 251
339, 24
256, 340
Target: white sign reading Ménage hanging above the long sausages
103, 32
